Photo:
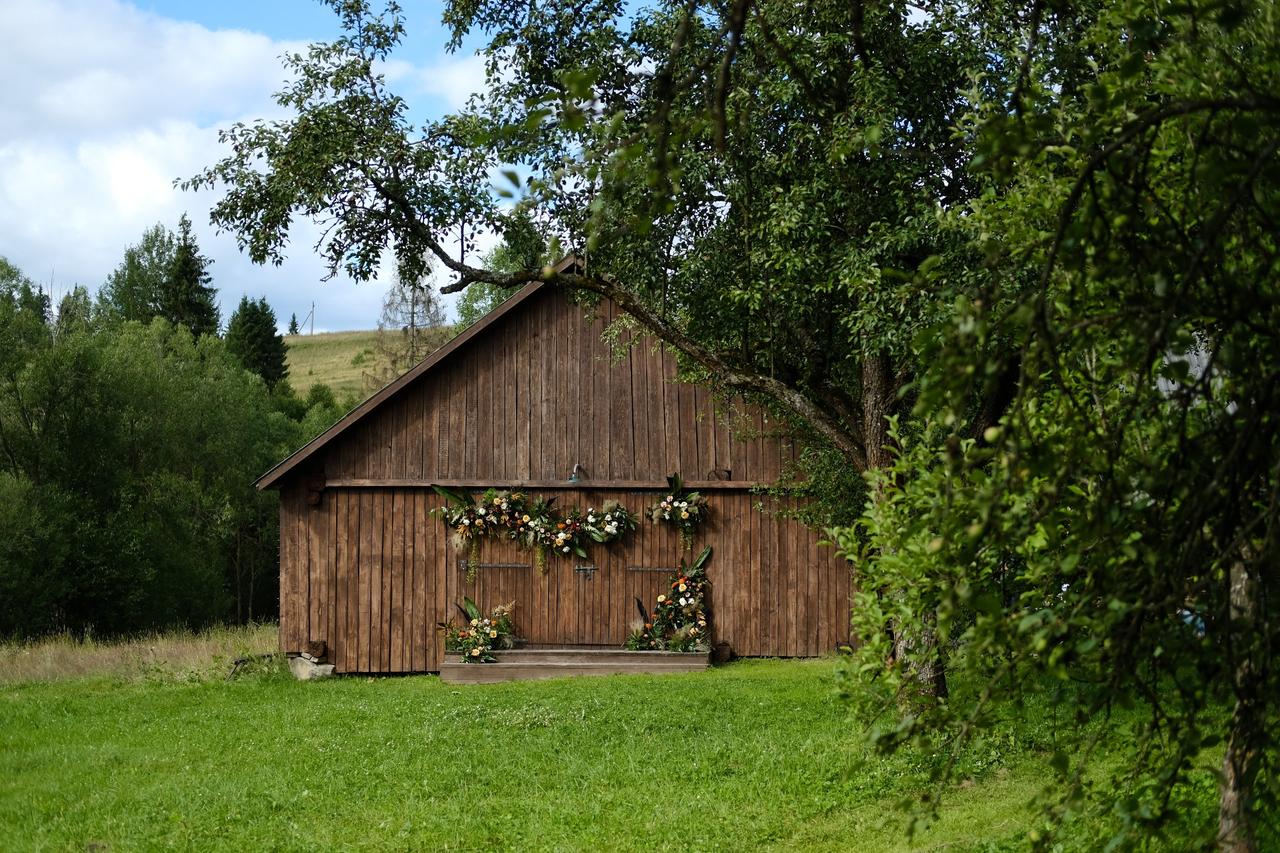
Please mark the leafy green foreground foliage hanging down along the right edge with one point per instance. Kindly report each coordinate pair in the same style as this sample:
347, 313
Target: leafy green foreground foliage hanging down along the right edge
1118, 531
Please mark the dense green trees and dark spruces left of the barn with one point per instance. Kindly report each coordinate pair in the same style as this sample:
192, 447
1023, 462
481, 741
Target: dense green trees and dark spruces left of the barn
132, 427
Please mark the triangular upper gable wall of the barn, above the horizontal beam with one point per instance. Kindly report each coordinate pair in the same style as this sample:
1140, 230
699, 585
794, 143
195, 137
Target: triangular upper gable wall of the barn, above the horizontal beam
541, 391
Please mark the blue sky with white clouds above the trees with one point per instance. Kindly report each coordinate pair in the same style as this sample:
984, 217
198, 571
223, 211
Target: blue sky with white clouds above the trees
107, 103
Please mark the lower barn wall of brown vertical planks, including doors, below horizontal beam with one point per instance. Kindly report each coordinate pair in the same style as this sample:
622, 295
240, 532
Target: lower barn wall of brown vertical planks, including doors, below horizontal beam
371, 573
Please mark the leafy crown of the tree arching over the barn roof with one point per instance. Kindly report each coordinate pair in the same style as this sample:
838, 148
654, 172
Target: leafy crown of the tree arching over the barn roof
692, 198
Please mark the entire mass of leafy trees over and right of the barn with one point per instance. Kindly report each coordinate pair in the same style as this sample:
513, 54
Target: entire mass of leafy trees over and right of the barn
1009, 270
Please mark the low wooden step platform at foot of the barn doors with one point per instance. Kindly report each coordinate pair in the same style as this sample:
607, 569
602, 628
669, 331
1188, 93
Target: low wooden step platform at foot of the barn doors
519, 665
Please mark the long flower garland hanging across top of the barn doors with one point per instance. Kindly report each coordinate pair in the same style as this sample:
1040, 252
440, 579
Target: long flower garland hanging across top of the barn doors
533, 523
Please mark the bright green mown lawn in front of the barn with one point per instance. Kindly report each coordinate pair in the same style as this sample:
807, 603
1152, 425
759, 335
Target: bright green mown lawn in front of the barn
755, 755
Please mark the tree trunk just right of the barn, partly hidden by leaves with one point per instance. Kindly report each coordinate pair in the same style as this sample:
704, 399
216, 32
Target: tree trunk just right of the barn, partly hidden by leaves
915, 646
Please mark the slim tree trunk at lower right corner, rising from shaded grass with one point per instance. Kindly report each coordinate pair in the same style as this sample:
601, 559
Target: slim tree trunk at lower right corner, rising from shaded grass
1236, 832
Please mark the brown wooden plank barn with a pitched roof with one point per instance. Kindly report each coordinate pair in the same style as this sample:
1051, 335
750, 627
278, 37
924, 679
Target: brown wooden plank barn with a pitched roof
527, 399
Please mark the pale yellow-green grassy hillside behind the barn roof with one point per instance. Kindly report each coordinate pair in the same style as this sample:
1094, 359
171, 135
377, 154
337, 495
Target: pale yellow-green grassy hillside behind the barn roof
346, 362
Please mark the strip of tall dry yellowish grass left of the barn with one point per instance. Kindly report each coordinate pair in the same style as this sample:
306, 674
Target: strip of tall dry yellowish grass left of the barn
171, 656
